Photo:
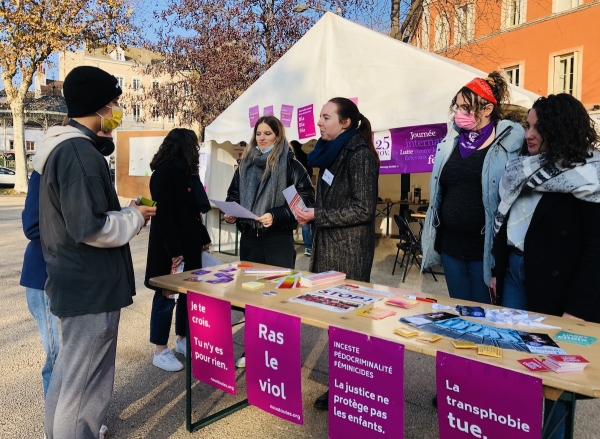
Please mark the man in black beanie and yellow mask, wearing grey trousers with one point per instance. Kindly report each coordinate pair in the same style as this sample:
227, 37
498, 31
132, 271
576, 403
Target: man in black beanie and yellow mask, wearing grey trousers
85, 234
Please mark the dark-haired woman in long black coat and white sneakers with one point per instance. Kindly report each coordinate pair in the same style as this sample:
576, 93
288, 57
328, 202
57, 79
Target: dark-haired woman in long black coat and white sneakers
177, 235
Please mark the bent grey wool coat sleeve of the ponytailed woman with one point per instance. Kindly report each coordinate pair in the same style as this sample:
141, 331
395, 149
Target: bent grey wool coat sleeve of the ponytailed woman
360, 208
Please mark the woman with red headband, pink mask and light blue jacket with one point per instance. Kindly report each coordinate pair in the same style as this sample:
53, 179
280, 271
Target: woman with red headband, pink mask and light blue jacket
464, 187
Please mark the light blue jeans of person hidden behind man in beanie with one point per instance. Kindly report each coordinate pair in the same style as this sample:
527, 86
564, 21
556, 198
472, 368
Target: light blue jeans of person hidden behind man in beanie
39, 307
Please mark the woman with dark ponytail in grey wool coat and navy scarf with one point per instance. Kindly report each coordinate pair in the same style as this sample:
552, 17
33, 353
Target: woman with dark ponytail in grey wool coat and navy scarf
344, 214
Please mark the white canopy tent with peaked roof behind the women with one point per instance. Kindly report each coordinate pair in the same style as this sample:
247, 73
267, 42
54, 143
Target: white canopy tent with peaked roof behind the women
396, 85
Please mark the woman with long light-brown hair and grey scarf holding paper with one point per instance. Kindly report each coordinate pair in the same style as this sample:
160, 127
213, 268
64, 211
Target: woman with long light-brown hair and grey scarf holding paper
266, 168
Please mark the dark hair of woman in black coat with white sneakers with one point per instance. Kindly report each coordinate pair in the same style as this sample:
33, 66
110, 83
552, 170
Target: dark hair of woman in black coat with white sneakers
179, 143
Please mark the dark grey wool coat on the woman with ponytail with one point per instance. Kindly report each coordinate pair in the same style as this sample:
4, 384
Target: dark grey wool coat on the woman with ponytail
344, 225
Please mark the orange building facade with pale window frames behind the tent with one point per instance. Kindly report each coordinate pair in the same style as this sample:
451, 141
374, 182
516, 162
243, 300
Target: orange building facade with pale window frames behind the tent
545, 46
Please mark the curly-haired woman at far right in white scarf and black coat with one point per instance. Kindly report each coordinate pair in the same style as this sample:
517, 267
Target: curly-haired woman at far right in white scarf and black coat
547, 244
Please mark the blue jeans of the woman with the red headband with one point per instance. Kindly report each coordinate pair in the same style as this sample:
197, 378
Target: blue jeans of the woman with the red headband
465, 279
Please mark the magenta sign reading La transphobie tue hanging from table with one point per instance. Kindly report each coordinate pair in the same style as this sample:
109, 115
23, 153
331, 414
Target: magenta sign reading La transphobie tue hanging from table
478, 400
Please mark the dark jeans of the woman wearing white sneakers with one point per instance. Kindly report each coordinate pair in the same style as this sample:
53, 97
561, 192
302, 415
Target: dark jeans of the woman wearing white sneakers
161, 317
